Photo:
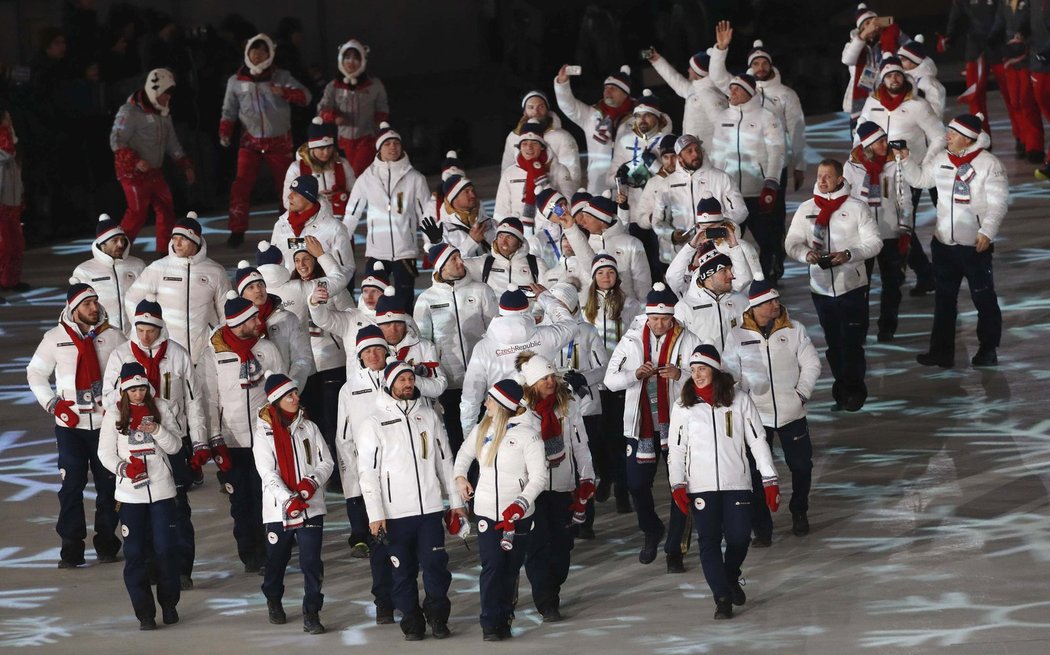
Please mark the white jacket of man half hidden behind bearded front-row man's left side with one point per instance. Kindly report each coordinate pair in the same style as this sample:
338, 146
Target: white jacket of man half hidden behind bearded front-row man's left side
358, 402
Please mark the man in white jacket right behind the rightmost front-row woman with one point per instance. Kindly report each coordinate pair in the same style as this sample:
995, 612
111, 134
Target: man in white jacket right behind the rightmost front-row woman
780, 368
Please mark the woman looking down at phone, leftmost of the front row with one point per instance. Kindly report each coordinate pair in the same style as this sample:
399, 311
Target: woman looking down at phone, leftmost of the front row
135, 443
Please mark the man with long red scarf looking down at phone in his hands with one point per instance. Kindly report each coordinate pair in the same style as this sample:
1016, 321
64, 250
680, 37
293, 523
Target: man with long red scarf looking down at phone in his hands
652, 363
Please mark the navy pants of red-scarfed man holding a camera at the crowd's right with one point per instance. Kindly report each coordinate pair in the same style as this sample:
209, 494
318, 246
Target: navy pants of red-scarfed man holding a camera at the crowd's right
845, 322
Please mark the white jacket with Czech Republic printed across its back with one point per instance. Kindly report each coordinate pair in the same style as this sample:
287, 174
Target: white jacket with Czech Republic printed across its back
494, 358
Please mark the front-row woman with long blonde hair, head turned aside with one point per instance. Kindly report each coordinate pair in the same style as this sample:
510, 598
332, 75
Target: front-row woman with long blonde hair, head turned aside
513, 474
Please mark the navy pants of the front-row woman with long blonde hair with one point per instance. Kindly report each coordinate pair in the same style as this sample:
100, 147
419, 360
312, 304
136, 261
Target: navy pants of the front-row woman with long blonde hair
500, 571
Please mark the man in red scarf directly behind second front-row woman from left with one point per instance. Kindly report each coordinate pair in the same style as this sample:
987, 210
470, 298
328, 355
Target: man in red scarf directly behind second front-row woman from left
234, 368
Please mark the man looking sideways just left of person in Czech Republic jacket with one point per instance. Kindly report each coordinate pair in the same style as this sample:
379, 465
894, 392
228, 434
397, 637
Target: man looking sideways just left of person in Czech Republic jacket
454, 314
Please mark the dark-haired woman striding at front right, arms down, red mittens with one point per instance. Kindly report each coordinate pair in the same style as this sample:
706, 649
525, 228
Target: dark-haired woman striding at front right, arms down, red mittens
713, 427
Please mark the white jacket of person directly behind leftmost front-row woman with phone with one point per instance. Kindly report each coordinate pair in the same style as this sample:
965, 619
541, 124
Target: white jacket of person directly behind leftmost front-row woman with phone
180, 387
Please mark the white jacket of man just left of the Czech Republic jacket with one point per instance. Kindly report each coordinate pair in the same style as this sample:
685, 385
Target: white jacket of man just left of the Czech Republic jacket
454, 316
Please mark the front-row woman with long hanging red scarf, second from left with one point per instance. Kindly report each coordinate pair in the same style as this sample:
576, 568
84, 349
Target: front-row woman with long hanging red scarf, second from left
295, 464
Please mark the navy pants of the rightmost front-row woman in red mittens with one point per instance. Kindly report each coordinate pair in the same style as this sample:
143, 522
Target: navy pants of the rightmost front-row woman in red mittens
719, 516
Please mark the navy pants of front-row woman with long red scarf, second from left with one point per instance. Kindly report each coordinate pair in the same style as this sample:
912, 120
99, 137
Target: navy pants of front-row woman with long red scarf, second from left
279, 553
